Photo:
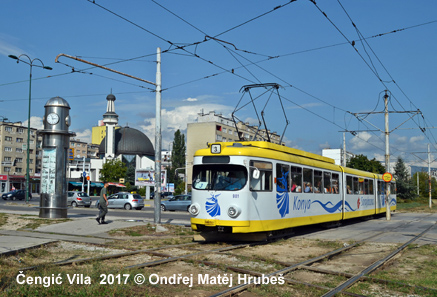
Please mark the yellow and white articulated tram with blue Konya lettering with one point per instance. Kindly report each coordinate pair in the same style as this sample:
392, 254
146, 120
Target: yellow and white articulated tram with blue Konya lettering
256, 186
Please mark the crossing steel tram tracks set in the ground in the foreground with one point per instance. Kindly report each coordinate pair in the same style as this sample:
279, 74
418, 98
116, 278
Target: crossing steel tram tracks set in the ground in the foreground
195, 252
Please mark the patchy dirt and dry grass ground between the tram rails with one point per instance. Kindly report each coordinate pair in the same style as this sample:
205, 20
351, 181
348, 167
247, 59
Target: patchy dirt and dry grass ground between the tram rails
263, 259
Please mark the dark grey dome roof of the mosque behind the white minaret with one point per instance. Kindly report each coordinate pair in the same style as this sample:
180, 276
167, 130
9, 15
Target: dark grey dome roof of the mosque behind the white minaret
130, 141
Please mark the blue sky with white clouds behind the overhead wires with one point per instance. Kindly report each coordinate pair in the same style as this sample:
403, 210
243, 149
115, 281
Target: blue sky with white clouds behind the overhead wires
323, 77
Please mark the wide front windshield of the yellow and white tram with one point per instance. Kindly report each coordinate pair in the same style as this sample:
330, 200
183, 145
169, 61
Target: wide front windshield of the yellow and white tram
219, 177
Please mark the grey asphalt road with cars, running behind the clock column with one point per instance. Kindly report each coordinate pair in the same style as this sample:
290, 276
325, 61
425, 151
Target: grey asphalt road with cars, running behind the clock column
145, 213
